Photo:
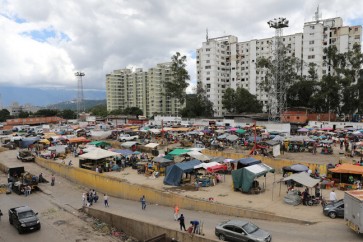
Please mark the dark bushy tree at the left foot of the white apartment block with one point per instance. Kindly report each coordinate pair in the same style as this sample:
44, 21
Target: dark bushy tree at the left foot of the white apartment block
197, 105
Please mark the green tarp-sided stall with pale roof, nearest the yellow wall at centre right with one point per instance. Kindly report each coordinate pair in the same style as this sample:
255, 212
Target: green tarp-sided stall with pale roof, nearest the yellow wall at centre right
243, 178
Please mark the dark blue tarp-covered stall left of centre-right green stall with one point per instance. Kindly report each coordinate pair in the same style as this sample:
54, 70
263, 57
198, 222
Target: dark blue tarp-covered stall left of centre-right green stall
174, 173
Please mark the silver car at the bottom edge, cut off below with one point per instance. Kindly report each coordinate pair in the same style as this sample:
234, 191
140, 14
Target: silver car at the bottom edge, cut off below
241, 230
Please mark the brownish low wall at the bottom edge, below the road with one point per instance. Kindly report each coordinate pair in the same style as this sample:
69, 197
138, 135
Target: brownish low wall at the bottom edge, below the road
141, 230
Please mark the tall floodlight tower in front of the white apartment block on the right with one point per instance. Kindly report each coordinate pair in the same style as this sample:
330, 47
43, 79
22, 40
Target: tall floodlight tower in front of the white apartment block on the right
277, 84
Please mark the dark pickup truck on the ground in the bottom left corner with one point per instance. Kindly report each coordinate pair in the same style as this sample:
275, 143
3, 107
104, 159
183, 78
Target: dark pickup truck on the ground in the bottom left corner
24, 219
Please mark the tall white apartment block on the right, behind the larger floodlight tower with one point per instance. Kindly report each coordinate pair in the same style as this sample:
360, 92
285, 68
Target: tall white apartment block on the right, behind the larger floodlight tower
224, 62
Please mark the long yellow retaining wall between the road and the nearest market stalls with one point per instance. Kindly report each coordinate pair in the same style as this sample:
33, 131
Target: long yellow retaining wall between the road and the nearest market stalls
122, 189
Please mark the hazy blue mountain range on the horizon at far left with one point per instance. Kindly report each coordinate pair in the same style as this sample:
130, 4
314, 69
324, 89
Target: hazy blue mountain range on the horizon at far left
44, 96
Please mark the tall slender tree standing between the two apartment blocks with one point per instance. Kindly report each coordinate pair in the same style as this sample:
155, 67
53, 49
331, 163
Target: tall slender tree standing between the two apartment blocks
177, 85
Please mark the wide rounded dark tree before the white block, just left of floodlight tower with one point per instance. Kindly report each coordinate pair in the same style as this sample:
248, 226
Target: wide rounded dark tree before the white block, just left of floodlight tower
240, 101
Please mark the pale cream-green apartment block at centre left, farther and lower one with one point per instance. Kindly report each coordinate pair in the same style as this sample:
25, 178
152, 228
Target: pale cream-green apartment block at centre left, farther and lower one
142, 89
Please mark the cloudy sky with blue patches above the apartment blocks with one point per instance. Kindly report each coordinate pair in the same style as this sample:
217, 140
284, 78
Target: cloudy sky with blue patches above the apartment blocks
44, 42
